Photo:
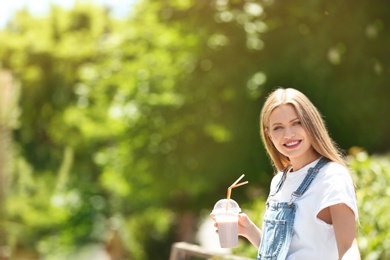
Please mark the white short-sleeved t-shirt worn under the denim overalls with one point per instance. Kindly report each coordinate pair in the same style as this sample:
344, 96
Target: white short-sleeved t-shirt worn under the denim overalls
312, 237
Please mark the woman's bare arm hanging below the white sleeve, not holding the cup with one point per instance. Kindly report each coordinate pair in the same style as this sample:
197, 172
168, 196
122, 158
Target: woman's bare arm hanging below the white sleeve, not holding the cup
343, 220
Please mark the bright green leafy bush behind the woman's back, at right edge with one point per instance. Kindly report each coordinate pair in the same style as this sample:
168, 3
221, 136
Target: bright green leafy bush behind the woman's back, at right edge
372, 177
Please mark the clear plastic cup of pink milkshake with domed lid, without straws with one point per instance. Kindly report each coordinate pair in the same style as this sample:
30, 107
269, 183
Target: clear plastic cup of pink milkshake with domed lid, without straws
227, 219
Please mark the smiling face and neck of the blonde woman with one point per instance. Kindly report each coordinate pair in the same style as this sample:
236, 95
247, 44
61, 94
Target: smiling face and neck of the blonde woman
289, 137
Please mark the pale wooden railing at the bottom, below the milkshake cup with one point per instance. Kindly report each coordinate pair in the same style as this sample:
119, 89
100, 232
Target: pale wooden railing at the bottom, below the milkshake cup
186, 251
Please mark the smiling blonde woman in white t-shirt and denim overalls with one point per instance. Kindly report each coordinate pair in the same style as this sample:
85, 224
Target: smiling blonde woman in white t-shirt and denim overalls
311, 210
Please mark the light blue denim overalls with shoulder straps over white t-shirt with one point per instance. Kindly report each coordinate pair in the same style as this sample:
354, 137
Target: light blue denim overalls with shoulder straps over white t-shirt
279, 218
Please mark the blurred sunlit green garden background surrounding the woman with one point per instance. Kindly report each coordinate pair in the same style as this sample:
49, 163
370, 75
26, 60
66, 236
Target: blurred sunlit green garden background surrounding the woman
123, 122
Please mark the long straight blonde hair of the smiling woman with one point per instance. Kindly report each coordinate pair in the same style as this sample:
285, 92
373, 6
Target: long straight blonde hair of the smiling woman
311, 121
